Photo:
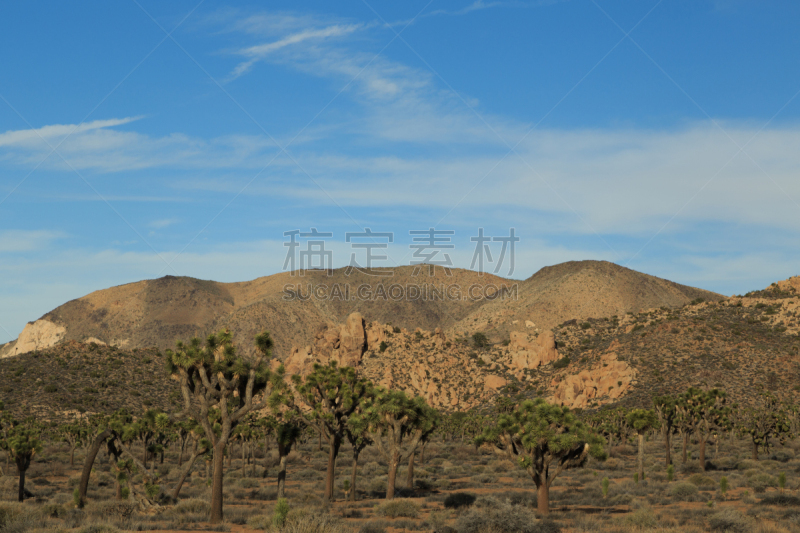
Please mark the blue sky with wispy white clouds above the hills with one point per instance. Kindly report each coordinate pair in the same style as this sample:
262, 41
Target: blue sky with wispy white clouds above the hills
139, 139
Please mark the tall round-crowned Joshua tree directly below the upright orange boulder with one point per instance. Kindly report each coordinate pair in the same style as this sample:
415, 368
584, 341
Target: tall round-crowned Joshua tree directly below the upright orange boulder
333, 393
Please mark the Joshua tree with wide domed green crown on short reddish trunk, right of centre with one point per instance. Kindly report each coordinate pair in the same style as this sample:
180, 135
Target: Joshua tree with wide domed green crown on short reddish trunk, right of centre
545, 440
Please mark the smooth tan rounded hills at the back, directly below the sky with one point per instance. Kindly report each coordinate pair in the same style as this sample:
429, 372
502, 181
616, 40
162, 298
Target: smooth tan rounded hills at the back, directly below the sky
155, 313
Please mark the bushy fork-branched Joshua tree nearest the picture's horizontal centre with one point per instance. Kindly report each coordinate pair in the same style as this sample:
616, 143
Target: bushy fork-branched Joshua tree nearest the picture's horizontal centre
397, 425
